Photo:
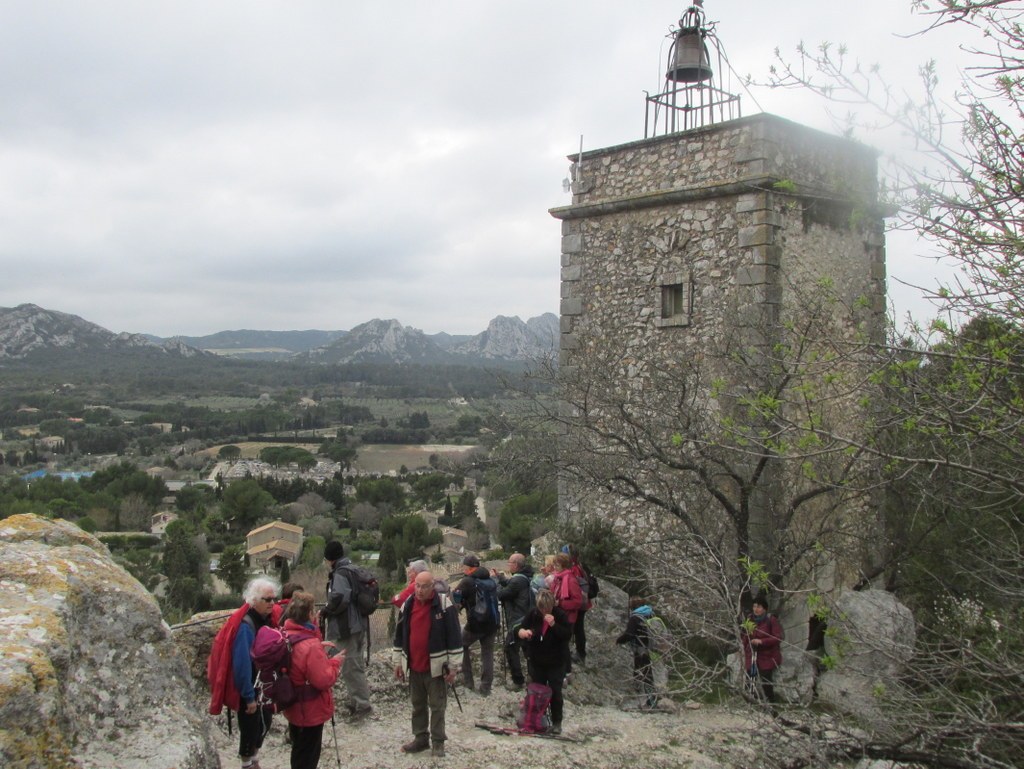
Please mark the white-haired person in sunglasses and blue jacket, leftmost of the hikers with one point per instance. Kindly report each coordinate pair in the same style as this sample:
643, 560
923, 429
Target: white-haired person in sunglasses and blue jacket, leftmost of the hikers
254, 720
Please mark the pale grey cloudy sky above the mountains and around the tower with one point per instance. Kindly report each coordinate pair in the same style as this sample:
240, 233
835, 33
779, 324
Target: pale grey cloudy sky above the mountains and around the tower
189, 167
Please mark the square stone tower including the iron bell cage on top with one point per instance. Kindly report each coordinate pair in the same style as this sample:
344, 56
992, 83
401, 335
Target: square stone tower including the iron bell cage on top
696, 251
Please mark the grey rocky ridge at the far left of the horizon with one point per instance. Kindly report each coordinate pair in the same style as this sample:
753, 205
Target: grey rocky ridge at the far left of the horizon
28, 329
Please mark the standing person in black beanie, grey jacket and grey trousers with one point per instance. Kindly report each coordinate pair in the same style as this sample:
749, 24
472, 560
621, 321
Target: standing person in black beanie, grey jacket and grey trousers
349, 628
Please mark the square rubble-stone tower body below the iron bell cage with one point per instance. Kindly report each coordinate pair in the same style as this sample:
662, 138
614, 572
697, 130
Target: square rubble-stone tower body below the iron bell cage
719, 288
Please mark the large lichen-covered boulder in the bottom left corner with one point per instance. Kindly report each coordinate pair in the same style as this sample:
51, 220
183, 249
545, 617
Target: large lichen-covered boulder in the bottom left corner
90, 675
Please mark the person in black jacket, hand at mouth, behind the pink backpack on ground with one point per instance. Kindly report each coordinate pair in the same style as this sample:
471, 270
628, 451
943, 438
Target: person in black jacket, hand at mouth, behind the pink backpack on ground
545, 634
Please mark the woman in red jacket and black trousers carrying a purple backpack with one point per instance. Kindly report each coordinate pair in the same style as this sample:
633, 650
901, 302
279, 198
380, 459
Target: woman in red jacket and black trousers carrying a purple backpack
311, 667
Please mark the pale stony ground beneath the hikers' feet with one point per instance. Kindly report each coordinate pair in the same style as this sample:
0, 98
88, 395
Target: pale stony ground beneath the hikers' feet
609, 739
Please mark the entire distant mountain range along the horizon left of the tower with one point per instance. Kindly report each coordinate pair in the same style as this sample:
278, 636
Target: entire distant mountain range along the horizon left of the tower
29, 332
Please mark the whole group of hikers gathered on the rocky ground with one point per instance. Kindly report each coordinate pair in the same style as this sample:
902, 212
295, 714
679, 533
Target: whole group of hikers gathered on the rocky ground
544, 616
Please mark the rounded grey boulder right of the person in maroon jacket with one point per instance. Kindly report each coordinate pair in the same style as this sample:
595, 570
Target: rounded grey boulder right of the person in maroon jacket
872, 638
